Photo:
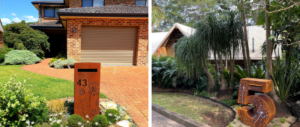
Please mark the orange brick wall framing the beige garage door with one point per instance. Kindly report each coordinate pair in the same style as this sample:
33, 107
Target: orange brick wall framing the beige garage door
74, 39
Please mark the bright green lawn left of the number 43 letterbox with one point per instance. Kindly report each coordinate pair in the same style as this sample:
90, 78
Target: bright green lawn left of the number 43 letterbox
45, 86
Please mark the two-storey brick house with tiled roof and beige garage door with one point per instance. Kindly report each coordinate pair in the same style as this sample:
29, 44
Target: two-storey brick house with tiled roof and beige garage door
113, 32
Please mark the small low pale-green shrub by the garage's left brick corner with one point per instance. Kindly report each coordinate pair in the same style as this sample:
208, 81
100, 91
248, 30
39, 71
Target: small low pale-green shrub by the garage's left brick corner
61, 64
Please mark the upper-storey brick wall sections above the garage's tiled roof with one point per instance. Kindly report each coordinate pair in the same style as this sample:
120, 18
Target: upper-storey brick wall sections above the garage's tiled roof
78, 3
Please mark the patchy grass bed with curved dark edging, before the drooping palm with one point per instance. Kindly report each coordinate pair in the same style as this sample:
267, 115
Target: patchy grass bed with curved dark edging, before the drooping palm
199, 109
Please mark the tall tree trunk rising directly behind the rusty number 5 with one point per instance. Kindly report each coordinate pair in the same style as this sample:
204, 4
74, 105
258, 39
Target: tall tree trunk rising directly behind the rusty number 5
281, 109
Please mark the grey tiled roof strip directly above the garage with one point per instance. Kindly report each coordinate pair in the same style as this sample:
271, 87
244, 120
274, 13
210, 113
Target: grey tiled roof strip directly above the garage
127, 9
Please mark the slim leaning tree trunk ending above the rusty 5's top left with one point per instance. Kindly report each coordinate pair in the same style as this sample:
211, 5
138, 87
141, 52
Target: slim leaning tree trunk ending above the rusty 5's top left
246, 40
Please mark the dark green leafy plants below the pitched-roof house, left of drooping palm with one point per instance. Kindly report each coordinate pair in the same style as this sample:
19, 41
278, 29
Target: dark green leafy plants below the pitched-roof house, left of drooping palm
165, 74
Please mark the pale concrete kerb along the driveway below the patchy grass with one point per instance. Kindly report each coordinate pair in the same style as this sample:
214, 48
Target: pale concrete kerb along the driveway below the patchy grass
183, 120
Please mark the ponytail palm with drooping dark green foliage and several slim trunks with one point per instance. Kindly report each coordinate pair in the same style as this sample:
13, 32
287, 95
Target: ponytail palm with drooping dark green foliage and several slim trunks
220, 35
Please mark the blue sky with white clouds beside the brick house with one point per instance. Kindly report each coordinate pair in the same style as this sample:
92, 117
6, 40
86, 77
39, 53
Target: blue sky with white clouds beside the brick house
17, 10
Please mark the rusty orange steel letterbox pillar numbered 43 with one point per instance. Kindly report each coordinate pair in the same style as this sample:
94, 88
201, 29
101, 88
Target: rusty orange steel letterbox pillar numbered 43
87, 89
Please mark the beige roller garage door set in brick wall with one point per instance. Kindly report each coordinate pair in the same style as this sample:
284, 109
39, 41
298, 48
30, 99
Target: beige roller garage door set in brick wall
108, 45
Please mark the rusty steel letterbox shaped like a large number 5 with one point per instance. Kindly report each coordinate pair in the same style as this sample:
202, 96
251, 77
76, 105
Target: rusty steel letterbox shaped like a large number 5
252, 91
